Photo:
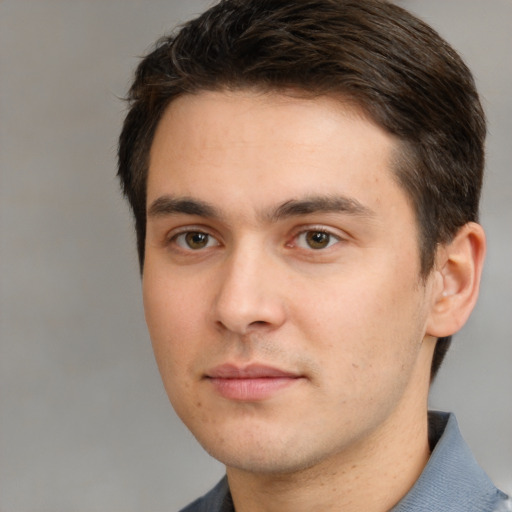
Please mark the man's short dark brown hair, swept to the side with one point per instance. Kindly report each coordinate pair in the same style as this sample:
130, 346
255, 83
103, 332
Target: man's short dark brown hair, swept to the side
369, 54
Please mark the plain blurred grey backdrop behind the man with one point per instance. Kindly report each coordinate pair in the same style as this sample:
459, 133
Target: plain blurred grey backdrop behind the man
84, 421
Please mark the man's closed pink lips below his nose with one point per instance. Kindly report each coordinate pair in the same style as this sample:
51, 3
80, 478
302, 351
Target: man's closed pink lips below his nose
249, 383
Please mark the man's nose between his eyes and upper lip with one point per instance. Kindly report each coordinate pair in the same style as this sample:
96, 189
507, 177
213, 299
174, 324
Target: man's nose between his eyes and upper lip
250, 292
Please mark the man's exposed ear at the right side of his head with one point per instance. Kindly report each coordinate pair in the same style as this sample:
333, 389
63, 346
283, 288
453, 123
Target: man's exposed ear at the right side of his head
457, 280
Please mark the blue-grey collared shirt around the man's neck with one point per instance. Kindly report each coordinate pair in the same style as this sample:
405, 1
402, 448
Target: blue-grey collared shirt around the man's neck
452, 480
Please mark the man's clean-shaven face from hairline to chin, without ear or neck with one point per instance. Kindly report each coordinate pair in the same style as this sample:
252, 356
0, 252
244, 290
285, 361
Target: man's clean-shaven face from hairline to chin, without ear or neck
281, 283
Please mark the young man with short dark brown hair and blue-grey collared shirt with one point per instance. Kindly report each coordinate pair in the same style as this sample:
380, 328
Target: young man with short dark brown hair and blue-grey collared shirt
305, 179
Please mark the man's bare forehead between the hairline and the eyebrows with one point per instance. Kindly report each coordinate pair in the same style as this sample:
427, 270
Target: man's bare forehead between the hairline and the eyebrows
250, 145
